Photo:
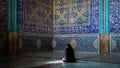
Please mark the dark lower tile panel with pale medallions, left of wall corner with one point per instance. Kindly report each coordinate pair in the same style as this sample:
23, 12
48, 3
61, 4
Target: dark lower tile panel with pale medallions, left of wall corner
30, 44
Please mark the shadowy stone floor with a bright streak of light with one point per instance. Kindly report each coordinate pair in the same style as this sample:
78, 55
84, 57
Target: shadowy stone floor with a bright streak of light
53, 60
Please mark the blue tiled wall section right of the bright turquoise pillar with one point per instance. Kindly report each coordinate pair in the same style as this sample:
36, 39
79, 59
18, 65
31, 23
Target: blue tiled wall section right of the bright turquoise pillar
114, 24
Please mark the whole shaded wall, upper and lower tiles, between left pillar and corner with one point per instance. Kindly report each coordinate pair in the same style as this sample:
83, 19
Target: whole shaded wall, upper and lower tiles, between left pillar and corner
35, 25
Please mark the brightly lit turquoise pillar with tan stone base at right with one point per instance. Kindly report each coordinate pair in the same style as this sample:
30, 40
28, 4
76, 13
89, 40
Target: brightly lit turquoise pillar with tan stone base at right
104, 27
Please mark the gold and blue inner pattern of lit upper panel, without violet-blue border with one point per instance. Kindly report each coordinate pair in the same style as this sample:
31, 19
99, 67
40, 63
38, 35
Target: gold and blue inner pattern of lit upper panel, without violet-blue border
71, 12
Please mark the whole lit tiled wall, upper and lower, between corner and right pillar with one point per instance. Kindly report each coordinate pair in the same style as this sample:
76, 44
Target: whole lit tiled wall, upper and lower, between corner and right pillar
76, 22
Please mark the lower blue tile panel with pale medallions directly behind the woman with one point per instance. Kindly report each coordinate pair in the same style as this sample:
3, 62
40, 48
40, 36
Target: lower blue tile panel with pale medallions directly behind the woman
82, 43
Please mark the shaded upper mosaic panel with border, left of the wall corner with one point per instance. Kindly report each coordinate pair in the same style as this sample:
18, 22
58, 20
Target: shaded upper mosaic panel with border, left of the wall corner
35, 16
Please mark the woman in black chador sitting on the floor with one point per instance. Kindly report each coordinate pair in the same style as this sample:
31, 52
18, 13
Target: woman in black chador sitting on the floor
69, 54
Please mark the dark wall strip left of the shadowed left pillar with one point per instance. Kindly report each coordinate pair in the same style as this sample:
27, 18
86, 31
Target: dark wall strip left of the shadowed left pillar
3, 26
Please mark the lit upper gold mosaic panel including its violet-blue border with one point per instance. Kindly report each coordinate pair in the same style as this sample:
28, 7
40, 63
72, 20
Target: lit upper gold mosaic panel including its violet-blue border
76, 16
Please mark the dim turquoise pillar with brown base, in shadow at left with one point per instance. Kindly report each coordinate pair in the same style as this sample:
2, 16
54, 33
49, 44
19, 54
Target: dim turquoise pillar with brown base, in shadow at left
12, 27
